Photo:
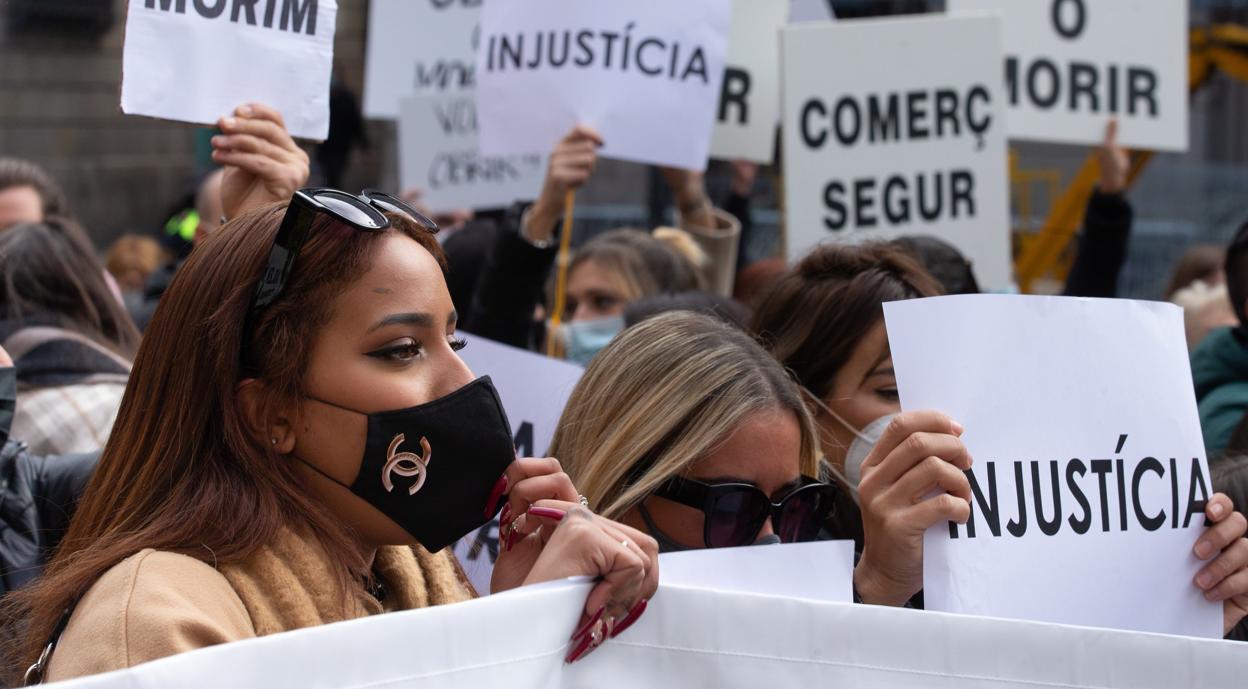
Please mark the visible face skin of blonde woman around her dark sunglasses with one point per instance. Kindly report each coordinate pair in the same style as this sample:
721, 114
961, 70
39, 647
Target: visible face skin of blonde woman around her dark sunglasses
766, 451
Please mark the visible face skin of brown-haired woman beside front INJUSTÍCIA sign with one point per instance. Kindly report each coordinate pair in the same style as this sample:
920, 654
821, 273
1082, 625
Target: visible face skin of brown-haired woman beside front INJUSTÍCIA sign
863, 391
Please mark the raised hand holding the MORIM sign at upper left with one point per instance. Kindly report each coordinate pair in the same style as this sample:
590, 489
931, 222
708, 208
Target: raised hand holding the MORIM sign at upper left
263, 163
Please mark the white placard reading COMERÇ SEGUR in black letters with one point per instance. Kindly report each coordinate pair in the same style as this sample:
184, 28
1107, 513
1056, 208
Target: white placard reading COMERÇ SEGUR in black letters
915, 150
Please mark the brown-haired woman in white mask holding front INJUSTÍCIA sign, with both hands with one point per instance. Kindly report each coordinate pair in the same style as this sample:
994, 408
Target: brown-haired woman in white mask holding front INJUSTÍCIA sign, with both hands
824, 323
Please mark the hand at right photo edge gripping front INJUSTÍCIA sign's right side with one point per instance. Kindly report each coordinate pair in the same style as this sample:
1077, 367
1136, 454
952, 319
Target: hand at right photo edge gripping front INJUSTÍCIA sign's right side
1226, 579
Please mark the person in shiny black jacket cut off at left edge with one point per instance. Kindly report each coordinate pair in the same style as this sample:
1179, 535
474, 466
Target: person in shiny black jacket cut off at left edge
37, 495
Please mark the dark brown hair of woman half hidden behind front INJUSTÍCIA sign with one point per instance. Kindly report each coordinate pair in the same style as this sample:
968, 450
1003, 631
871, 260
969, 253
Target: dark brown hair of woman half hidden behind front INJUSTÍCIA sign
817, 314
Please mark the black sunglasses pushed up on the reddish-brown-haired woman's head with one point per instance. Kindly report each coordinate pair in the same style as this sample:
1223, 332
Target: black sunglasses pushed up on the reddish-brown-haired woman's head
364, 213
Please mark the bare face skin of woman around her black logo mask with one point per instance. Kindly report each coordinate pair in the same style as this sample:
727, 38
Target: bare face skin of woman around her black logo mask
389, 345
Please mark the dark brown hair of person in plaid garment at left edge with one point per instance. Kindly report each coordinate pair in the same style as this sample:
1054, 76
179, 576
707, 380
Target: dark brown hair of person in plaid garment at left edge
49, 273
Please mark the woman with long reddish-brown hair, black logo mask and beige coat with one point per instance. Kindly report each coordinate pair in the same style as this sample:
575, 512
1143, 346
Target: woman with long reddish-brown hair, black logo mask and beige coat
298, 445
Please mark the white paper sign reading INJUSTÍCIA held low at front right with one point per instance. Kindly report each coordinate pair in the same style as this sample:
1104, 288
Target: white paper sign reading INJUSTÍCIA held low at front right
1081, 420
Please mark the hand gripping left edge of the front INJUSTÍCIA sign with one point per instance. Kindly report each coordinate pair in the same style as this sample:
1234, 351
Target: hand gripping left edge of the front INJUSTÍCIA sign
919, 452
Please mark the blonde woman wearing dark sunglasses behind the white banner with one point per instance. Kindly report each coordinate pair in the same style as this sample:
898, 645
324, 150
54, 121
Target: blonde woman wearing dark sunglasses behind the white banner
687, 429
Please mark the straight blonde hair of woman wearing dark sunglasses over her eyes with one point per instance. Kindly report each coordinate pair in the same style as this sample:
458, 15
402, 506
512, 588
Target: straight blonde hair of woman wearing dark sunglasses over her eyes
661, 398
